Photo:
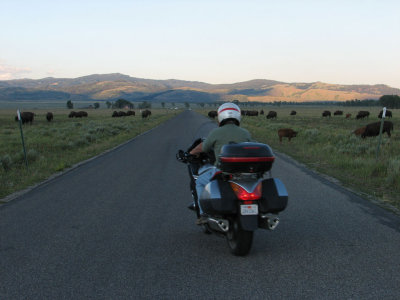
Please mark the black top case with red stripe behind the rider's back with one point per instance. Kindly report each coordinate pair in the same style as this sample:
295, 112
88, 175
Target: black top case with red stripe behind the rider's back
246, 158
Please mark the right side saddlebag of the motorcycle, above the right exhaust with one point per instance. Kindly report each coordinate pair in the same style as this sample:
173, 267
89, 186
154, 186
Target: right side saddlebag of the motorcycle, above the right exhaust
274, 196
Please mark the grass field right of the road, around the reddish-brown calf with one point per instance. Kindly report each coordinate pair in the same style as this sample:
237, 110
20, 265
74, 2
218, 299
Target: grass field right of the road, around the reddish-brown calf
329, 146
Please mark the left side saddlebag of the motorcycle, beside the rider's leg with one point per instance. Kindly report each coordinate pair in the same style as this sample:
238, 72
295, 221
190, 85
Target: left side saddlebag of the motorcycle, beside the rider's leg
215, 203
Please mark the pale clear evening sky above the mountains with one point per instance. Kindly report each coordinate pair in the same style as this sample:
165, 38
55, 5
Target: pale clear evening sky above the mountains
218, 41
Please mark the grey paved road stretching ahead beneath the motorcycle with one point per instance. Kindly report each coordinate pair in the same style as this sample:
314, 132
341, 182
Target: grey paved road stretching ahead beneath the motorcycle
117, 227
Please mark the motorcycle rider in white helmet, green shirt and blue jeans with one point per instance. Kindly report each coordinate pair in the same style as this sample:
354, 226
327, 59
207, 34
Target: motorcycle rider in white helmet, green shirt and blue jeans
229, 131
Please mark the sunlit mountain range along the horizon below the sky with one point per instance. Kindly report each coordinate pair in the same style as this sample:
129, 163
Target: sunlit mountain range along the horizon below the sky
116, 86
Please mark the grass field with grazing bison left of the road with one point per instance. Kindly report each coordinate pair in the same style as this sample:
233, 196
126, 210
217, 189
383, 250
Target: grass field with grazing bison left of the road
54, 146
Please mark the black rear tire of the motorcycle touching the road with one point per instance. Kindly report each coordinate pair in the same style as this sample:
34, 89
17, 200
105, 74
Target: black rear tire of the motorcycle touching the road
239, 240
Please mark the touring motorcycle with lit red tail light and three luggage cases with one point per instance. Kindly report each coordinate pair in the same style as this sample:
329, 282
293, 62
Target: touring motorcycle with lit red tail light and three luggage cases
242, 196
